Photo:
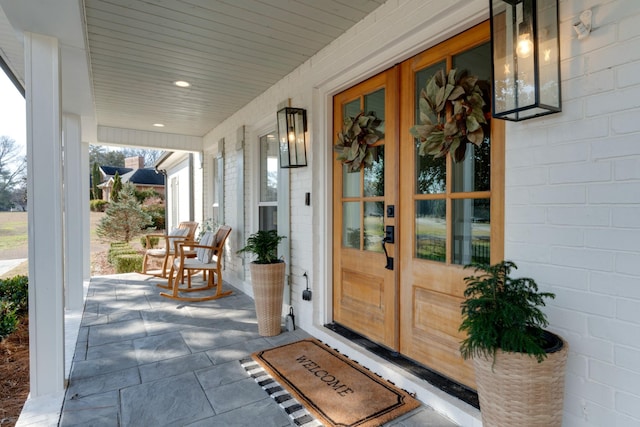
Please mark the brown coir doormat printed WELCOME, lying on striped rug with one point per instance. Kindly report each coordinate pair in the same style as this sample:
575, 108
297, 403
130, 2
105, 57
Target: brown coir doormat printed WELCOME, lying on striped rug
334, 389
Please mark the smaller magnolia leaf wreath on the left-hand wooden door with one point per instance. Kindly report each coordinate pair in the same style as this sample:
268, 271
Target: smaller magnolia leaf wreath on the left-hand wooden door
355, 141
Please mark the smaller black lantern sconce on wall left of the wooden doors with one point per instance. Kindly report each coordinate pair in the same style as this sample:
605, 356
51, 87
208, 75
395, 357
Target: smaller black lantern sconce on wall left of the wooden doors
292, 128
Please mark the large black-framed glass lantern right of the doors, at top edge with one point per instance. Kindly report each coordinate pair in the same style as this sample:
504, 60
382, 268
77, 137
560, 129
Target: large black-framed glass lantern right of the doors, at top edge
526, 58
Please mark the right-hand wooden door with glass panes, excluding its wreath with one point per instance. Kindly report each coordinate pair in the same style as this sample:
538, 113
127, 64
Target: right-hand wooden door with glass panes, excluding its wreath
450, 212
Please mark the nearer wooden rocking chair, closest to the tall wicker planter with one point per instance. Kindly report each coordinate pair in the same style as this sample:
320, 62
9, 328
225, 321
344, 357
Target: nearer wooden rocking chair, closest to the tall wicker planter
208, 260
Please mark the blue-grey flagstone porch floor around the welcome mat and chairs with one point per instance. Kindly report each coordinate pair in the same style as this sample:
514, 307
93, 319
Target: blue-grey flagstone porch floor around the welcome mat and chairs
144, 360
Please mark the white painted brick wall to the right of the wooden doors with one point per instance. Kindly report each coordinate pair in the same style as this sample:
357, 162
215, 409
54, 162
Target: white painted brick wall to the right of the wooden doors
591, 205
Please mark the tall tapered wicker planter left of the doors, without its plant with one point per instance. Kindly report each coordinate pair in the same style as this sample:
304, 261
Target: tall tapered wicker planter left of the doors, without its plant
268, 290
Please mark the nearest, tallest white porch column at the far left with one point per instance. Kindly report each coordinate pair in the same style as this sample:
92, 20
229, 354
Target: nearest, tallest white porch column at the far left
44, 184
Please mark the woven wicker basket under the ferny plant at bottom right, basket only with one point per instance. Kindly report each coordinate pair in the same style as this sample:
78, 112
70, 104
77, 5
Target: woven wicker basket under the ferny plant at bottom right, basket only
519, 391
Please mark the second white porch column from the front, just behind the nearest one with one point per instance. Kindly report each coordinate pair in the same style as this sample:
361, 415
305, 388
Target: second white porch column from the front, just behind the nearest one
74, 230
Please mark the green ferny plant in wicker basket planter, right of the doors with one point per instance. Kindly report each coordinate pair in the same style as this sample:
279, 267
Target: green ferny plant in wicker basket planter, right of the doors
519, 366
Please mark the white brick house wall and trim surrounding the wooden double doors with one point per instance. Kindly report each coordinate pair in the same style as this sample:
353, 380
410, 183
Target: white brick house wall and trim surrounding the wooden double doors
572, 186
